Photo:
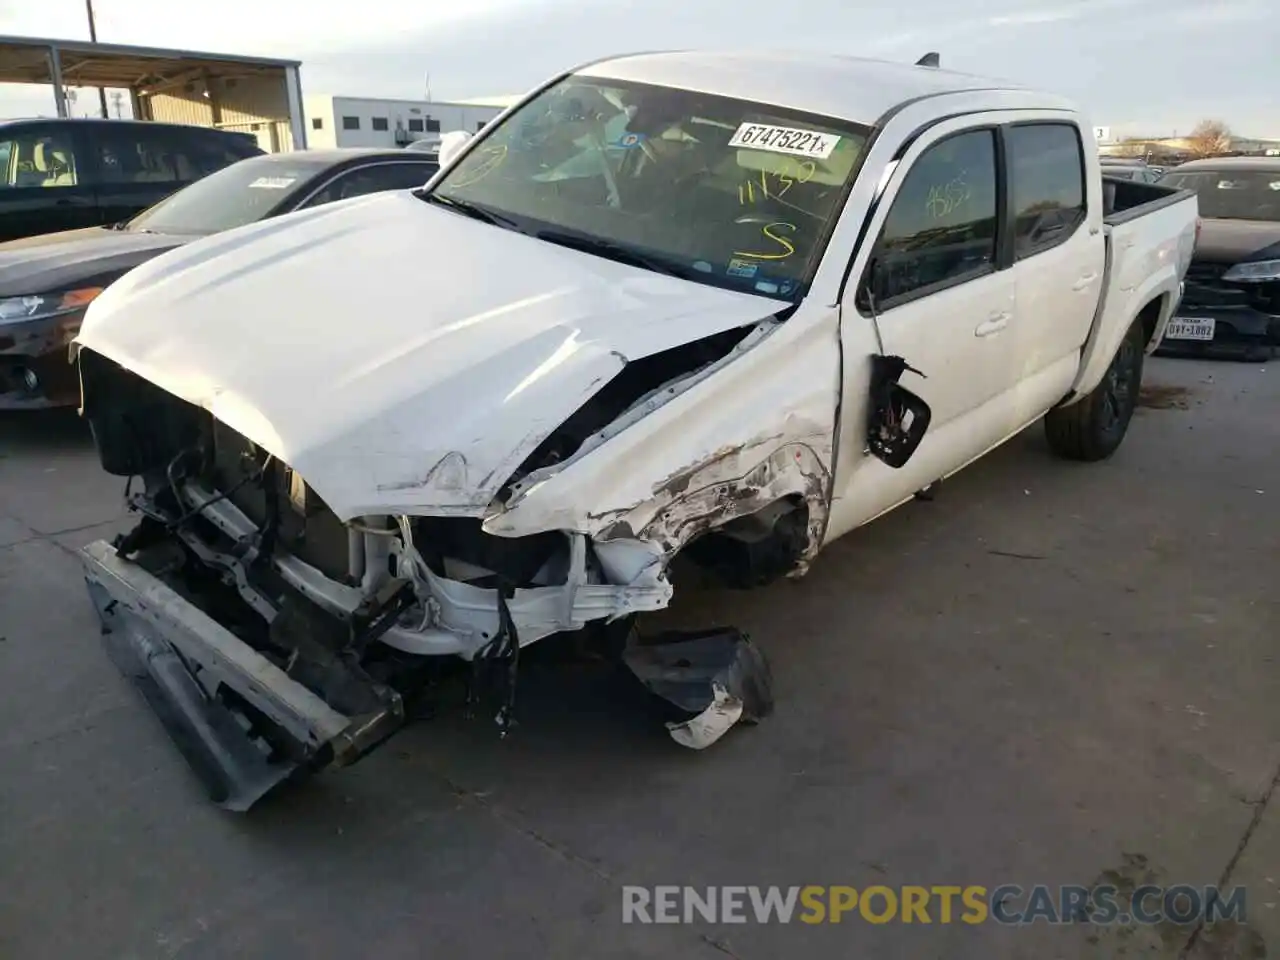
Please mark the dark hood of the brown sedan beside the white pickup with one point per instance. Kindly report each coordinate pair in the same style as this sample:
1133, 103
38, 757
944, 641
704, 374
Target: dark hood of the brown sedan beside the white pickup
92, 257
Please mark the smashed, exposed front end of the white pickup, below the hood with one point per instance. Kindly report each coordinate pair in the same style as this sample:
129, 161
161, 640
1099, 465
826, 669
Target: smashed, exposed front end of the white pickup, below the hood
273, 638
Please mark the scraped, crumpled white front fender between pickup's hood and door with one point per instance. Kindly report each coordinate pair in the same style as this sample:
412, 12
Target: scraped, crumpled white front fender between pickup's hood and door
723, 445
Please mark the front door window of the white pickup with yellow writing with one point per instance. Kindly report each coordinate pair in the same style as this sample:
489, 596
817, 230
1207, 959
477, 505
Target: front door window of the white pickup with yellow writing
941, 228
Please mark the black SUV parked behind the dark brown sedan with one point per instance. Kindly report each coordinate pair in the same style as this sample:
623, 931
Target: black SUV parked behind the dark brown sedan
58, 175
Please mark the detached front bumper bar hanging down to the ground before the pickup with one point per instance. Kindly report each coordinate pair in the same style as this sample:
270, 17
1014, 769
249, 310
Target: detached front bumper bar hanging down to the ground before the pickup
185, 664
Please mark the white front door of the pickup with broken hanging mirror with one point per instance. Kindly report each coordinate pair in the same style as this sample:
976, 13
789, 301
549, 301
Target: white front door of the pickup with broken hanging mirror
934, 290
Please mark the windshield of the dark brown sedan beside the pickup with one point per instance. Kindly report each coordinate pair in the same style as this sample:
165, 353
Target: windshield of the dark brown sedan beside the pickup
236, 195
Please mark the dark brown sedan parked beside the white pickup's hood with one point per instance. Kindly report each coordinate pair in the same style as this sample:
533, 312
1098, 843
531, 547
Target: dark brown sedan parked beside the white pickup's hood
48, 282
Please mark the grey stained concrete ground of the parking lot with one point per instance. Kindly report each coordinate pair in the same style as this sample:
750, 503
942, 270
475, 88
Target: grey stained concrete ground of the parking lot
1052, 674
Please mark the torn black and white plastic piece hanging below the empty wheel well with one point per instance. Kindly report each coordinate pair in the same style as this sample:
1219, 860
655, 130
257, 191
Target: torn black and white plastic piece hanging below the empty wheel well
719, 678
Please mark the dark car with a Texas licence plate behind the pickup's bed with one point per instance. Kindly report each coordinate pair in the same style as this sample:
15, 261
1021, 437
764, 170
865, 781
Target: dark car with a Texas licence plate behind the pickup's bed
1232, 303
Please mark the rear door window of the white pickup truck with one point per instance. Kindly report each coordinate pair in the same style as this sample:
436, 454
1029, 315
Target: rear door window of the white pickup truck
1046, 175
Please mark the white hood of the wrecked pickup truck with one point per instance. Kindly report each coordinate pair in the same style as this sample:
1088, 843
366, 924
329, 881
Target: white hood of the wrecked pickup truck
404, 359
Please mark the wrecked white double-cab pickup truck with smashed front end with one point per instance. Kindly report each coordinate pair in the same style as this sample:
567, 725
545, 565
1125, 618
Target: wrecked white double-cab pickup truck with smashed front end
724, 307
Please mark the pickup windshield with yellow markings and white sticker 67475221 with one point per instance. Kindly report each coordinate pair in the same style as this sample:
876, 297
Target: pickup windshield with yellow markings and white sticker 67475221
721, 191
